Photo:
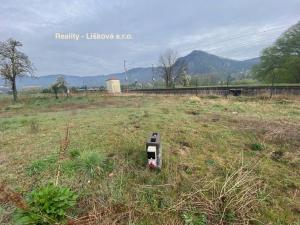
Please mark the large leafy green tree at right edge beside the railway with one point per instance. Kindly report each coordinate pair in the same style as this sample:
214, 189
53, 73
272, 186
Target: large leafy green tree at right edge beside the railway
281, 61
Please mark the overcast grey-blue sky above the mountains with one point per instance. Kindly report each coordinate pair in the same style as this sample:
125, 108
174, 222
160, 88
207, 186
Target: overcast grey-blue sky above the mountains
237, 29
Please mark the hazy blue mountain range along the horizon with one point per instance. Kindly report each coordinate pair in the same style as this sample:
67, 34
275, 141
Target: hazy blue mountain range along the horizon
198, 63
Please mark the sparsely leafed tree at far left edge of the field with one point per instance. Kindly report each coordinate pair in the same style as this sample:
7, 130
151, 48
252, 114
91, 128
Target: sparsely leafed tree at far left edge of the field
13, 63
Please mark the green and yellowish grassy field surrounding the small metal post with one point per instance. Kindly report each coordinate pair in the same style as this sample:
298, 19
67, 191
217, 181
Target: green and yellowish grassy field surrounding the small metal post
225, 161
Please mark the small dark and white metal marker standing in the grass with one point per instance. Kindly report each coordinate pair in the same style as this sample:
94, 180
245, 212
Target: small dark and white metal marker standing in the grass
154, 151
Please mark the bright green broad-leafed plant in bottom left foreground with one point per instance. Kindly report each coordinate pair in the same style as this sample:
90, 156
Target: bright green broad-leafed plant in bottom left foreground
47, 205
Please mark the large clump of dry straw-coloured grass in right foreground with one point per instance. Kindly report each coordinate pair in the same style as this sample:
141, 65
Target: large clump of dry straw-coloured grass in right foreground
232, 201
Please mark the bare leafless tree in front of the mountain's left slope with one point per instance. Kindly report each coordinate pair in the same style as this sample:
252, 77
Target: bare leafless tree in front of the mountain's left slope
170, 67
